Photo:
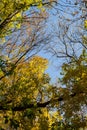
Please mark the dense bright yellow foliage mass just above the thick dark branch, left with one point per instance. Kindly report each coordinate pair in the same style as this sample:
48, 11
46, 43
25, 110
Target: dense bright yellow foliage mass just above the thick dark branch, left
27, 78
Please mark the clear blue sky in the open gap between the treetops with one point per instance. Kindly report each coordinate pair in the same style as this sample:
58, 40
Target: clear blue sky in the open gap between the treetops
55, 16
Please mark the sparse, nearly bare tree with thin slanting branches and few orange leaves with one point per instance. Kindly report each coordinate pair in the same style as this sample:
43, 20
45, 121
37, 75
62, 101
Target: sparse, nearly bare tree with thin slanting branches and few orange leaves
24, 43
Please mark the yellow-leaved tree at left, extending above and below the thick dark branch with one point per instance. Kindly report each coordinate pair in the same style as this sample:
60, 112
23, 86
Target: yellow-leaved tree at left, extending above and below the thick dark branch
27, 85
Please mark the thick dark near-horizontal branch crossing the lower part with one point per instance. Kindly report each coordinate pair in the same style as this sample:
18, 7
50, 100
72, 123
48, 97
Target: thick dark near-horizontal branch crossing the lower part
22, 107
